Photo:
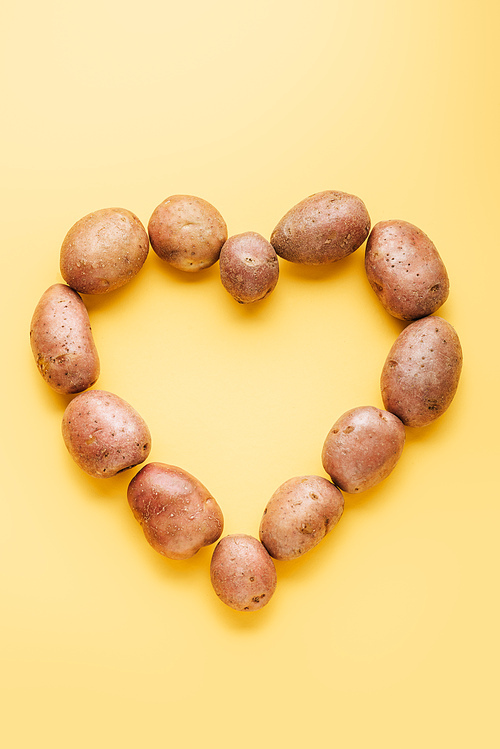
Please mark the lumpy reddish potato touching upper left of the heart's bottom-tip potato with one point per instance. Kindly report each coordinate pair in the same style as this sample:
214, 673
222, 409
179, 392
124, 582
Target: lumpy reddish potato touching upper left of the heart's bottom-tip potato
177, 514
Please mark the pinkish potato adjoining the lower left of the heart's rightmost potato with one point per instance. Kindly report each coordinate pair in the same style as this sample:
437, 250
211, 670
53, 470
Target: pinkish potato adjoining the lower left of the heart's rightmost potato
362, 448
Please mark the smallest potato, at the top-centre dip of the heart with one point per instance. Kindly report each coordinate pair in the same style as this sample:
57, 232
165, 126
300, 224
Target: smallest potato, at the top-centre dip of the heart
249, 267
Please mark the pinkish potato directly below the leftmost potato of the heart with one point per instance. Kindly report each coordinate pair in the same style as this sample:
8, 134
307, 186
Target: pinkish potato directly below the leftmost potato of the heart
104, 434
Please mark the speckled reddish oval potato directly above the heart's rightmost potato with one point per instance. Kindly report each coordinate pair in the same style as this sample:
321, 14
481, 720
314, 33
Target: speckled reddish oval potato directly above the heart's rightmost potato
405, 270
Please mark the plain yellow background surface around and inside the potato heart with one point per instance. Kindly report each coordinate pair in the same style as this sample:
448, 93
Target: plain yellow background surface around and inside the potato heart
387, 633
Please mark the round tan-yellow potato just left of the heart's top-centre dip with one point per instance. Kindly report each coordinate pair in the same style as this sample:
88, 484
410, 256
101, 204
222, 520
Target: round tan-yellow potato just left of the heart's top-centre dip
187, 232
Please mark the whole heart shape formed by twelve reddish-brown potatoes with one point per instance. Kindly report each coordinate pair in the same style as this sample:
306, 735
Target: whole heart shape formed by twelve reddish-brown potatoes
105, 435
